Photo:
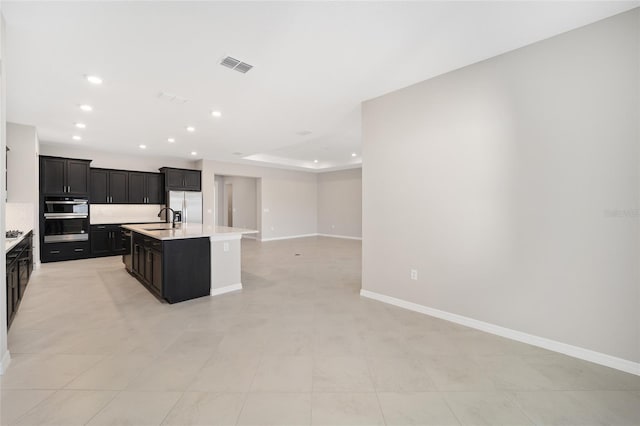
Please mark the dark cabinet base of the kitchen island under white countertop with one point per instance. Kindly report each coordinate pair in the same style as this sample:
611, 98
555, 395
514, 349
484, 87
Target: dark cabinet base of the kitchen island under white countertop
174, 270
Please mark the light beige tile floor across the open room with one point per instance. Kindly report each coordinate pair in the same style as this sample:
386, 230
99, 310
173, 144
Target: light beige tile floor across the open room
297, 346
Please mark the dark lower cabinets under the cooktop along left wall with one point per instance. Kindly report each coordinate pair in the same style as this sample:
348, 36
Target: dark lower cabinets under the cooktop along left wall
19, 268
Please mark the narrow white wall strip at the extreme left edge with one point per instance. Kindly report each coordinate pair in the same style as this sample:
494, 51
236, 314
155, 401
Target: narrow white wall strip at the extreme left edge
4, 353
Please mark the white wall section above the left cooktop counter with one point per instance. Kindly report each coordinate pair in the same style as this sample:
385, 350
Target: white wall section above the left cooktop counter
22, 180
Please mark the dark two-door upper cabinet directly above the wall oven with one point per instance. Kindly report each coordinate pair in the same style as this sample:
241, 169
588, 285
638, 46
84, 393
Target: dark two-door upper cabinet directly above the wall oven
64, 176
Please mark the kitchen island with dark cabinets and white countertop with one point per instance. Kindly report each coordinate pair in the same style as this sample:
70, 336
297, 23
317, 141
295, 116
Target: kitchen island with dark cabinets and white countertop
186, 262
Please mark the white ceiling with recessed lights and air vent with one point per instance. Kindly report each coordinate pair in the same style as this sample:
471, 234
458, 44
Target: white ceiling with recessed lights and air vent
314, 63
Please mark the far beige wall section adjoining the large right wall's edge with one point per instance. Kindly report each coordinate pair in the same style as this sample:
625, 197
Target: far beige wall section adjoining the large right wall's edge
340, 203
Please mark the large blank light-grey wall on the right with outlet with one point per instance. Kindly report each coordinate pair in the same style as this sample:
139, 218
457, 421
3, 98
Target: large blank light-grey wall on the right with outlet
512, 185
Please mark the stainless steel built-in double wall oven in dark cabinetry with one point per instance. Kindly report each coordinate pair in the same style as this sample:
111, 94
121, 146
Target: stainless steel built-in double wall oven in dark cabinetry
66, 219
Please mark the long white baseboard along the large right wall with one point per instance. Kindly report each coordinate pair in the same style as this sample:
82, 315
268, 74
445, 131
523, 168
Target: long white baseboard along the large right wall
552, 345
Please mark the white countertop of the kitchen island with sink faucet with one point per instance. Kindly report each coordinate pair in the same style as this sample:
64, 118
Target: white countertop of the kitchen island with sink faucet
187, 230
